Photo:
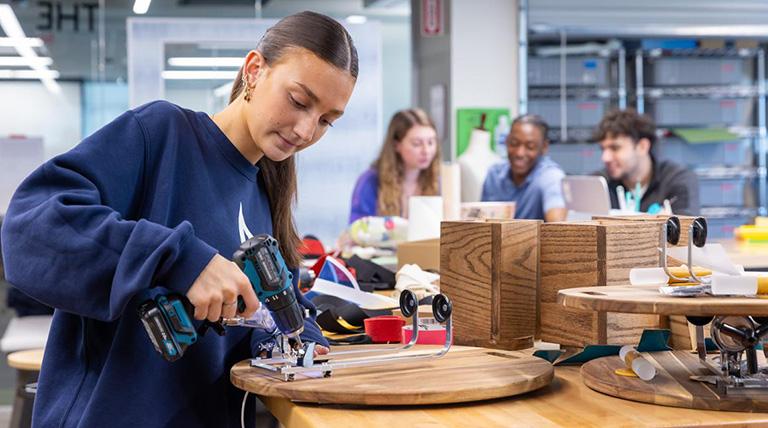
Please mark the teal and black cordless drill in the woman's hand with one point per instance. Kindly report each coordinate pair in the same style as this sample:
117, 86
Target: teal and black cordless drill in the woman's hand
167, 317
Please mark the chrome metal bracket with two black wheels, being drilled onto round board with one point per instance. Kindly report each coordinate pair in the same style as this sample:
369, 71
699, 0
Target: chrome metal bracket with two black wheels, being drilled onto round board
292, 363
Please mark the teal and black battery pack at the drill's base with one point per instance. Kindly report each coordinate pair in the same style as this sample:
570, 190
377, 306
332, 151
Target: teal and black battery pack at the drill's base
166, 319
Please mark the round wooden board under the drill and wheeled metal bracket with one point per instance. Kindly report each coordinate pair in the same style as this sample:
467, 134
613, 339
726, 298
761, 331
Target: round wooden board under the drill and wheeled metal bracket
464, 374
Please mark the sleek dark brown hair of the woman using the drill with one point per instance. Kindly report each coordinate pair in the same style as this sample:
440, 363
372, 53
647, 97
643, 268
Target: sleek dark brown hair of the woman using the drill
327, 39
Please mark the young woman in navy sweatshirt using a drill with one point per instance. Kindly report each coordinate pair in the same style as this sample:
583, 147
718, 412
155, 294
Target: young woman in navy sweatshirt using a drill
159, 199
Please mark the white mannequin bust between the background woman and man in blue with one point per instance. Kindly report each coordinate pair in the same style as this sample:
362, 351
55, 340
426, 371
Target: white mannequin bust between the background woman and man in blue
474, 164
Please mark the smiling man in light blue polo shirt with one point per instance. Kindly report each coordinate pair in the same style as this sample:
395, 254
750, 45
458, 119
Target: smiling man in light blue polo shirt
530, 178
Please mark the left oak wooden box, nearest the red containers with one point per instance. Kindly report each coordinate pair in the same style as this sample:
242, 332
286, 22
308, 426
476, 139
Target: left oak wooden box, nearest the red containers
489, 269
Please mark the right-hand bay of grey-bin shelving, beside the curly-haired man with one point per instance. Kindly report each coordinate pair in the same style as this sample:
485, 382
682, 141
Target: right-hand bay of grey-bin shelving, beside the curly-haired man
700, 88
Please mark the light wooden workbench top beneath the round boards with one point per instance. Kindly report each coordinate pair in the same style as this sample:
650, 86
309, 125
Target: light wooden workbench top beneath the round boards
565, 402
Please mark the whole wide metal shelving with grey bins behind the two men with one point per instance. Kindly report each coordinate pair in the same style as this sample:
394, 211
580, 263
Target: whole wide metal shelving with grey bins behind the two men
683, 88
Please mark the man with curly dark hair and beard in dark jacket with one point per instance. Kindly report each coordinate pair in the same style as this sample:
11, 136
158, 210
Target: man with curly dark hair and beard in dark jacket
627, 140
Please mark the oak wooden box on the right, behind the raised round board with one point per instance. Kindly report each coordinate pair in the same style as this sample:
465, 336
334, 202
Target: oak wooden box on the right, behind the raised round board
589, 254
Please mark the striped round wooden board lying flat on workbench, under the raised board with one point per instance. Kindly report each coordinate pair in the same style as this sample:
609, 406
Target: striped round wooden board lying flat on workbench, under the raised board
671, 386
